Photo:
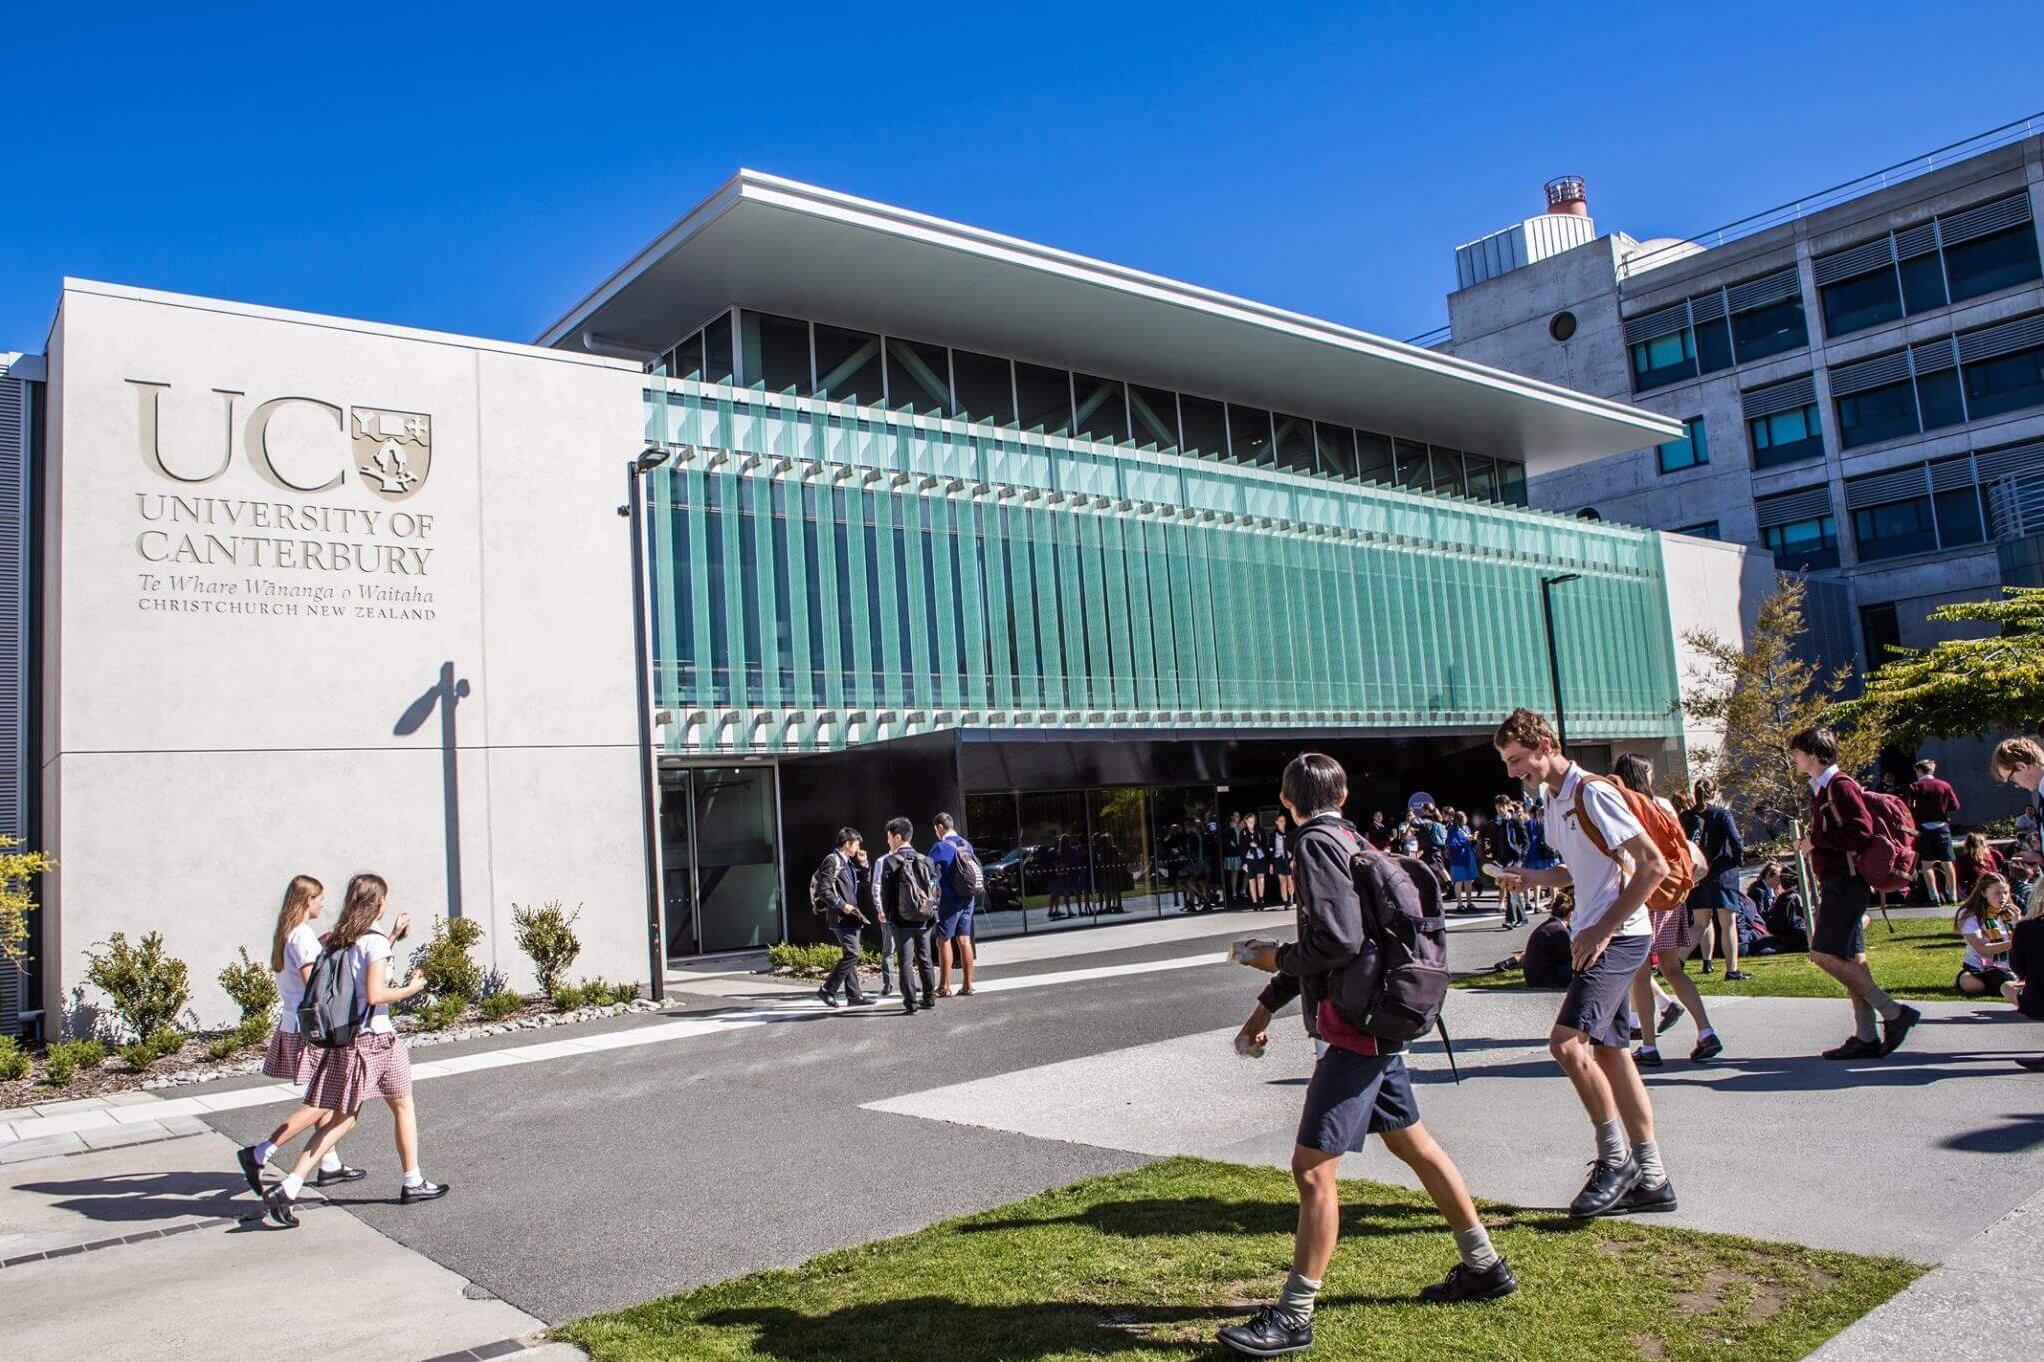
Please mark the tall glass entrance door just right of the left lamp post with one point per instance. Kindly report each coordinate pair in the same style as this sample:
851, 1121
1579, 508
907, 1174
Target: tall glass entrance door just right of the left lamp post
721, 831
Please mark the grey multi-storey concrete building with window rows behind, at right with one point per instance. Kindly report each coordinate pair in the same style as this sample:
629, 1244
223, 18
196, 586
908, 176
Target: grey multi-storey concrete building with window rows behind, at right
1859, 375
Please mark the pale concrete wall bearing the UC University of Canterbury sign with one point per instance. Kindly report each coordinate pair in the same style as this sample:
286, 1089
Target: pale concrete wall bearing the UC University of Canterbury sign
216, 725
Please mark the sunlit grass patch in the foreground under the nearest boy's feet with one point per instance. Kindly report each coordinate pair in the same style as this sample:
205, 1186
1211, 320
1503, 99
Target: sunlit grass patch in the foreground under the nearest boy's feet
1150, 1263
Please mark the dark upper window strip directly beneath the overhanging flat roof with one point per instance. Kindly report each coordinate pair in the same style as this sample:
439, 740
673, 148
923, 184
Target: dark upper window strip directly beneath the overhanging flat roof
786, 355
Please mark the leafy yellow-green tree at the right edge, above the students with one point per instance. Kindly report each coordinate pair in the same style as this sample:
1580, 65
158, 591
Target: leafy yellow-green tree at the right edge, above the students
1963, 686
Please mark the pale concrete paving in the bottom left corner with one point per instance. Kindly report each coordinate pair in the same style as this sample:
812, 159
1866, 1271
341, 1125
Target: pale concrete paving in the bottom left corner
136, 1265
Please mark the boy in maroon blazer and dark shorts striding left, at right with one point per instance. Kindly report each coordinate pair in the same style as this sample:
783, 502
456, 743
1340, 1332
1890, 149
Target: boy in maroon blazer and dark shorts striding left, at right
1841, 827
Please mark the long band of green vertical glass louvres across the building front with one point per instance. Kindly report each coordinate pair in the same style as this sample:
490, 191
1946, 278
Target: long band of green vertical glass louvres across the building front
827, 576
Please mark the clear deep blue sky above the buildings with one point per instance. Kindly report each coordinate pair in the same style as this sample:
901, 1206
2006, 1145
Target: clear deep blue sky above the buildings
479, 169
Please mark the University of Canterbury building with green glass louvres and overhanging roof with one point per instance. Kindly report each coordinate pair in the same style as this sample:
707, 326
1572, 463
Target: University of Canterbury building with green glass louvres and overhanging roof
817, 512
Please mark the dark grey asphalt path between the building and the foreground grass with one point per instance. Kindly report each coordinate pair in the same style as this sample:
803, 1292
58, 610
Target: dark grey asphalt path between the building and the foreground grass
612, 1179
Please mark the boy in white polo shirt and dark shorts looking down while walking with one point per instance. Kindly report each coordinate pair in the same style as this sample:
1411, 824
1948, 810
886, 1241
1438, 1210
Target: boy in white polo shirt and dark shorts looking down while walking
1614, 866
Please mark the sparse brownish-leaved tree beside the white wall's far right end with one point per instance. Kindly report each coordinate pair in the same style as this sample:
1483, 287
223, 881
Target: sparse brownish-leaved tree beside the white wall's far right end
1759, 694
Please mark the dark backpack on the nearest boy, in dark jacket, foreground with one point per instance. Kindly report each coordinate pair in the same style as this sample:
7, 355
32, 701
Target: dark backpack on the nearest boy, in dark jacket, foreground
1397, 985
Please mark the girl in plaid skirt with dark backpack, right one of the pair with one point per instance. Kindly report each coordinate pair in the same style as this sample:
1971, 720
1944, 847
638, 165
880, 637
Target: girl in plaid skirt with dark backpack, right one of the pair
375, 1064
